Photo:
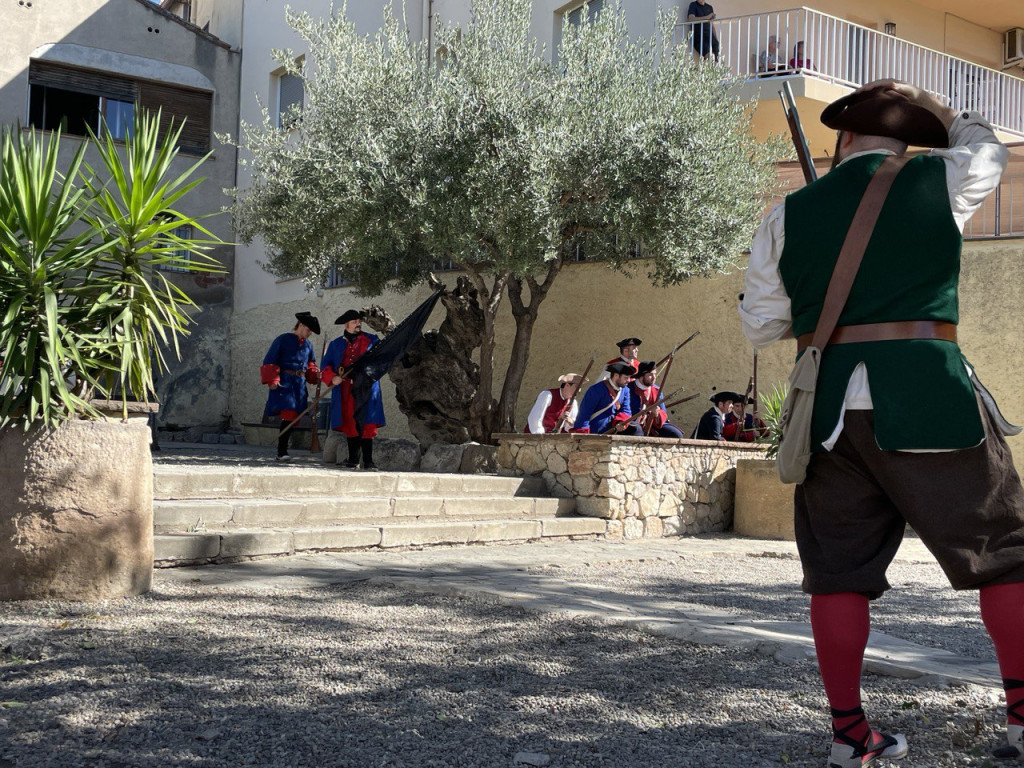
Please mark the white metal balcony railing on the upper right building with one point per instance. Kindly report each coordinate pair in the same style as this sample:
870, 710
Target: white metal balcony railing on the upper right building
849, 55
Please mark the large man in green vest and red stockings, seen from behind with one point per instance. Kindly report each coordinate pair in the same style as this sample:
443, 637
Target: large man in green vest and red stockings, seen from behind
876, 467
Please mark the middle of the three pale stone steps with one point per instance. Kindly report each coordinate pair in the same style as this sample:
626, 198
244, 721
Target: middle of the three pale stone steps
182, 516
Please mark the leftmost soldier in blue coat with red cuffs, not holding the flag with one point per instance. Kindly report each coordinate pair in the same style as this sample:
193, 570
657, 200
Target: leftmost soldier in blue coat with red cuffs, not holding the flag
288, 367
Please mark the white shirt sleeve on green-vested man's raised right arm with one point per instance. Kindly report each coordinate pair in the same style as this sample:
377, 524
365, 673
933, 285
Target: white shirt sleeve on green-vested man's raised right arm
975, 161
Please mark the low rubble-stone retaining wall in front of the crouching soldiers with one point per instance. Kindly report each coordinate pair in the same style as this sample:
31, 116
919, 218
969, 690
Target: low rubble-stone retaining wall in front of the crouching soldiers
646, 487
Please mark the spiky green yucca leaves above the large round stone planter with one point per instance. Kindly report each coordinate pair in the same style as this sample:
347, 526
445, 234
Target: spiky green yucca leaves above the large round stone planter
87, 312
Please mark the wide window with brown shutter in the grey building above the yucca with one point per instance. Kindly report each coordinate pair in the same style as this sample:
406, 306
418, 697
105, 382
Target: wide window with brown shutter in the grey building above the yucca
74, 101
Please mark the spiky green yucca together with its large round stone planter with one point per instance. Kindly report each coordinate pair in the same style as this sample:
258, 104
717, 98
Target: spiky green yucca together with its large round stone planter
88, 318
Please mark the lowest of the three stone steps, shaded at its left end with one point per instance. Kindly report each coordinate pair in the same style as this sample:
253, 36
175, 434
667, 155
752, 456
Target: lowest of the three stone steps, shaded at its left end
229, 546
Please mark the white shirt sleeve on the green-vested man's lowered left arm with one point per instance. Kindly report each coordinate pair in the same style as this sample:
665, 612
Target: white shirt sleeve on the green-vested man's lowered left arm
765, 311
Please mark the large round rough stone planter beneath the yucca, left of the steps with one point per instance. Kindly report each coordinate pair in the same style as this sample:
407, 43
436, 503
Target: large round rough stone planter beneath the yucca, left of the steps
77, 519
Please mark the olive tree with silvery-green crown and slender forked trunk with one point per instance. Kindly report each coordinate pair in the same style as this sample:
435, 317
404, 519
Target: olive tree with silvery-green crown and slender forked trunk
502, 160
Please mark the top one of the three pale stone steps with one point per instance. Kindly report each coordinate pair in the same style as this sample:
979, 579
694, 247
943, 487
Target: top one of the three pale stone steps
293, 482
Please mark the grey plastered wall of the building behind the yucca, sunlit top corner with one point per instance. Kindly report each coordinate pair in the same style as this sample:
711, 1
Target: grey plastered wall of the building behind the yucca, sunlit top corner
137, 39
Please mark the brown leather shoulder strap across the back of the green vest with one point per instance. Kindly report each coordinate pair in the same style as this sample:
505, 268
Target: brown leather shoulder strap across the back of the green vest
855, 246
